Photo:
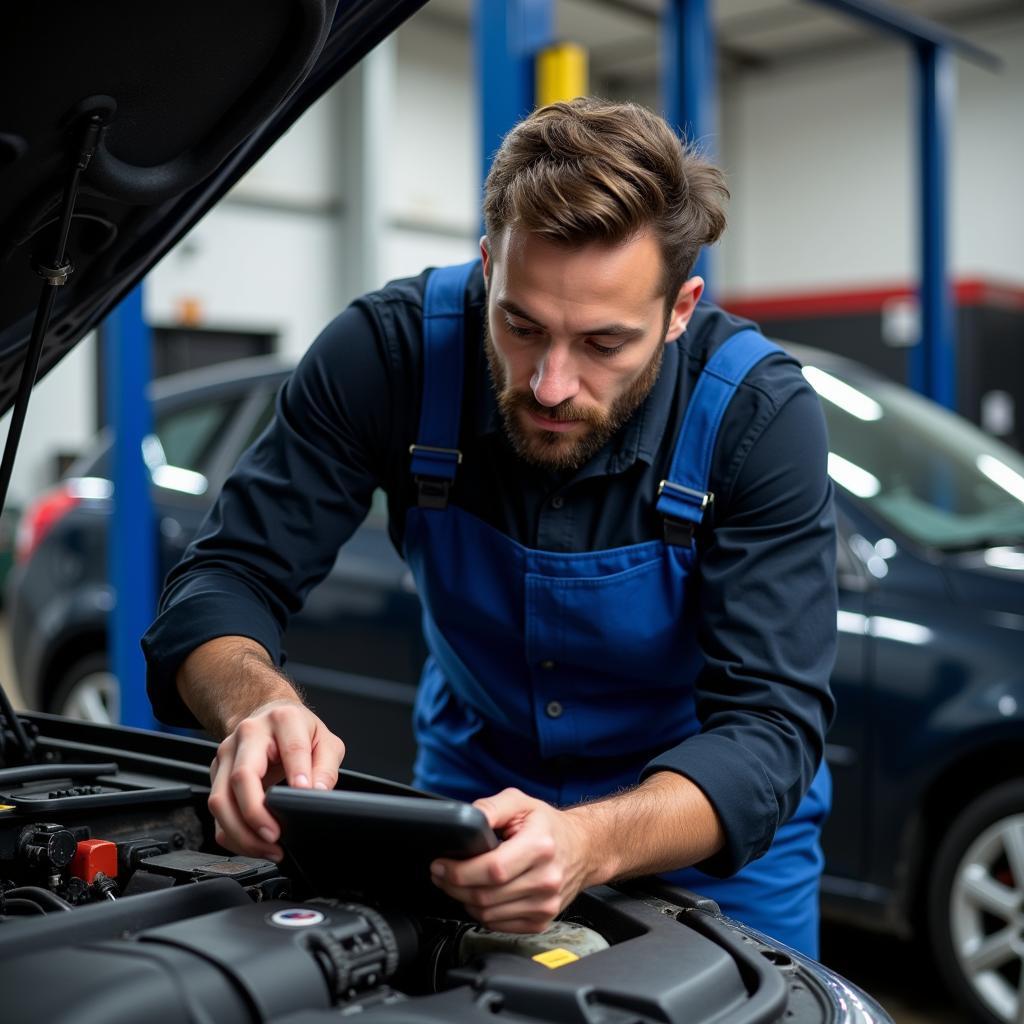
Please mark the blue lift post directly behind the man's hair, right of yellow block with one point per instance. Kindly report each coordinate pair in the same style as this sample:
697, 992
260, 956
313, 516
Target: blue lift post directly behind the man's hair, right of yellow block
690, 80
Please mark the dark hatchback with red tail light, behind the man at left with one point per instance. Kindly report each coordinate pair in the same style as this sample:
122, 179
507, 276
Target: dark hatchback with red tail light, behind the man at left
356, 648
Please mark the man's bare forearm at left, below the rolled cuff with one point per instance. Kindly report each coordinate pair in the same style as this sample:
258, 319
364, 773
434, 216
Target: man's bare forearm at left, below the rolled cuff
226, 679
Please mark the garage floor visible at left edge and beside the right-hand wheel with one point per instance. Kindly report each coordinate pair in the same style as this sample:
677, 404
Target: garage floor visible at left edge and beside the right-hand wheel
898, 974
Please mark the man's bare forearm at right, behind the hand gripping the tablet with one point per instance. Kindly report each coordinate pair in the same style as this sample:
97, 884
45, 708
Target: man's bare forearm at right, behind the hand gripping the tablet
665, 824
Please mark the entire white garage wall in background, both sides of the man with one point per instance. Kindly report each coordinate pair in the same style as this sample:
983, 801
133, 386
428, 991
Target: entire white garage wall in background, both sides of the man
820, 158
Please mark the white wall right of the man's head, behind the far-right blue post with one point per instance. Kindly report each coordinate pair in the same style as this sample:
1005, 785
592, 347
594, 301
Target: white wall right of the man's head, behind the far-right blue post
823, 166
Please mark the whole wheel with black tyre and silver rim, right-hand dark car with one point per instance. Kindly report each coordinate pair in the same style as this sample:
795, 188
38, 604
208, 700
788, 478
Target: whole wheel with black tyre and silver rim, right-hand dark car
976, 905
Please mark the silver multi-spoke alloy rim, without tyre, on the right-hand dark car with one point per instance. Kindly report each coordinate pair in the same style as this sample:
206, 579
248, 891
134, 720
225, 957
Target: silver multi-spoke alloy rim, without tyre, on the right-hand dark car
987, 909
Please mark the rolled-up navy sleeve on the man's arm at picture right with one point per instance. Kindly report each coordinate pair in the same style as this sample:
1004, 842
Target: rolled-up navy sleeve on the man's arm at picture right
767, 631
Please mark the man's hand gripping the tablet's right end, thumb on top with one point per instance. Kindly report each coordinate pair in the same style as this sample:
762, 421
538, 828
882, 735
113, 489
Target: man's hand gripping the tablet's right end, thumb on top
534, 875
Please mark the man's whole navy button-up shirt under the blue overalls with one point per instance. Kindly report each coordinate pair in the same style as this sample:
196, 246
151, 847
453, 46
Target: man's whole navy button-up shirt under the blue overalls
767, 596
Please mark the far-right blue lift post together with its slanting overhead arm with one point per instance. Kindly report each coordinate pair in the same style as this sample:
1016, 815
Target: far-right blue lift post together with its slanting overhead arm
933, 363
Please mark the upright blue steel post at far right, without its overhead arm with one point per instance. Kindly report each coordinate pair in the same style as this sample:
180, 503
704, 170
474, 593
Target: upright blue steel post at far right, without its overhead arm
933, 364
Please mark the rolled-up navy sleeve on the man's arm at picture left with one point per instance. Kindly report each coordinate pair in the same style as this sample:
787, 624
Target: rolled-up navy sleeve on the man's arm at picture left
294, 498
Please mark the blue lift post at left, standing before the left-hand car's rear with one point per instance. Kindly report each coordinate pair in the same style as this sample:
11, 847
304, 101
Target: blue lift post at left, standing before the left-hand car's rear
132, 540
